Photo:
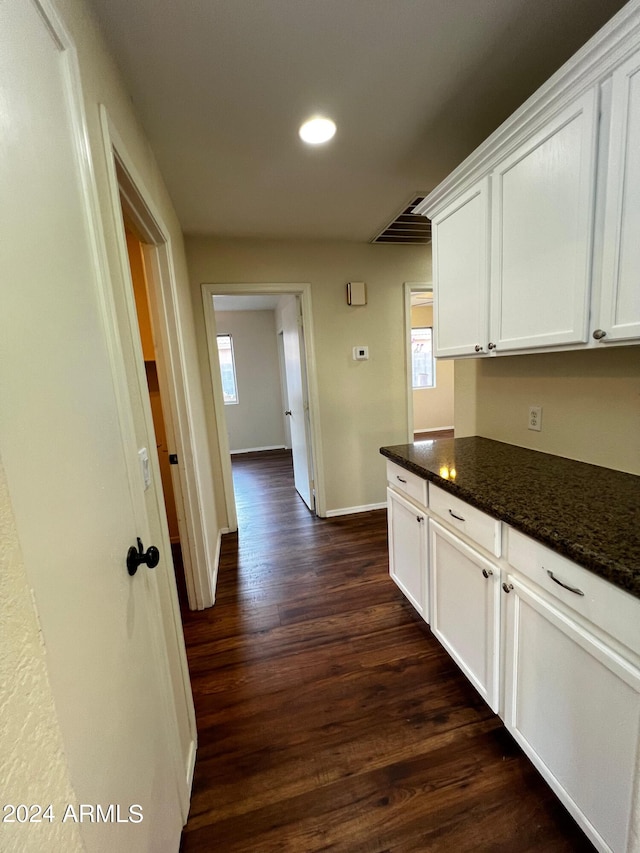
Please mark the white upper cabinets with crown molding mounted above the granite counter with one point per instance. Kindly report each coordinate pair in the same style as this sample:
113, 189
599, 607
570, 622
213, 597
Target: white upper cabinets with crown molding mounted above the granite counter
535, 234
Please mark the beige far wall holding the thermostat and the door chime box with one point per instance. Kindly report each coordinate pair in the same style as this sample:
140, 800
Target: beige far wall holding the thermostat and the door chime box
362, 404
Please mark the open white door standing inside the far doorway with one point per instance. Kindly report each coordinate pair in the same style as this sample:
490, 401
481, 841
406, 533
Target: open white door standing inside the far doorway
297, 398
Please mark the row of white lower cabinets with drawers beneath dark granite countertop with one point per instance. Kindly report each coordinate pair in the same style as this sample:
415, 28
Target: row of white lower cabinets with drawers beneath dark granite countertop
551, 647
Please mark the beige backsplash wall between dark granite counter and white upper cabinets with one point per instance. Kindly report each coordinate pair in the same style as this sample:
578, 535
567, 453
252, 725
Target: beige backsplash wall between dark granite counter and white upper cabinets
590, 402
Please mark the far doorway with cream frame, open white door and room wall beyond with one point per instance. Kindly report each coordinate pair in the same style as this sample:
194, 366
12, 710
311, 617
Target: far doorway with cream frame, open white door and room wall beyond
274, 409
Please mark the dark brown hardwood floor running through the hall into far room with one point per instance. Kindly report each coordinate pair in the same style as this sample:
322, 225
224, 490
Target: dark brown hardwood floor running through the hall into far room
329, 718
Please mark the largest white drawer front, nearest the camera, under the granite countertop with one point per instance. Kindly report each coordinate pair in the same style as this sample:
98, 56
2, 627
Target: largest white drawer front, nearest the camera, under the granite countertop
608, 607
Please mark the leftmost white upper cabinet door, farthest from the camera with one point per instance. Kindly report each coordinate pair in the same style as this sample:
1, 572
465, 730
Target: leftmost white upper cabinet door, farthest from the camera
461, 273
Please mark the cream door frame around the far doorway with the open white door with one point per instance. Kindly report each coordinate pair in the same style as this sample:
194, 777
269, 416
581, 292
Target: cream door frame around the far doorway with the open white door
303, 290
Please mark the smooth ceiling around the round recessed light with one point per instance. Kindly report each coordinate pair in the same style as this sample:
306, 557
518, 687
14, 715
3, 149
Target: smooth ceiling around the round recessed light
221, 87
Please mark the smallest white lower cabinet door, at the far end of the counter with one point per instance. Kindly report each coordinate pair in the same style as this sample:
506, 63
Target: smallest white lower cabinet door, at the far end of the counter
408, 563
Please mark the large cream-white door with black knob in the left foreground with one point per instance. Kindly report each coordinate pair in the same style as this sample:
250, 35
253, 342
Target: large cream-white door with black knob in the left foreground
61, 440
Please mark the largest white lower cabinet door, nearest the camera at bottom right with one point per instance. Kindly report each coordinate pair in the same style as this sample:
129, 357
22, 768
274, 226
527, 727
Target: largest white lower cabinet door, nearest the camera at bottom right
574, 706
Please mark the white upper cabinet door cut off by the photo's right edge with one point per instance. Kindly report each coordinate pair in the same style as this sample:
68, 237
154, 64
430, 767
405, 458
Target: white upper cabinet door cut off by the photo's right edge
620, 305
